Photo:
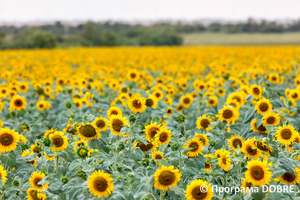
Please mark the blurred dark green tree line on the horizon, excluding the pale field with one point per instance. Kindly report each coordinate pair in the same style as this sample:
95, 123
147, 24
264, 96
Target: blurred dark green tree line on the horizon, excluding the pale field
121, 34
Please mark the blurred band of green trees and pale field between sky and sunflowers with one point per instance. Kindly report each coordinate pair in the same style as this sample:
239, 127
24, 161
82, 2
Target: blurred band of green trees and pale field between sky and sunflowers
159, 34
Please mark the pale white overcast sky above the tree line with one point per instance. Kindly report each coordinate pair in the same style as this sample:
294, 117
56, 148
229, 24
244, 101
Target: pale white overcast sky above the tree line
146, 10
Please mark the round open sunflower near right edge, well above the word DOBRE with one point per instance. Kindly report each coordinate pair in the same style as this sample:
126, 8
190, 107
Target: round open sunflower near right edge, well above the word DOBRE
286, 134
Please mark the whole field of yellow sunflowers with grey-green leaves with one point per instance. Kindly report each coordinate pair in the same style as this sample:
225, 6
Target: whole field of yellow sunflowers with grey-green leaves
150, 123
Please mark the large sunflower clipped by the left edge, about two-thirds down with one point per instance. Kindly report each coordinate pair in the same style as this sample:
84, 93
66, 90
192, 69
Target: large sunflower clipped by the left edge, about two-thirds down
8, 140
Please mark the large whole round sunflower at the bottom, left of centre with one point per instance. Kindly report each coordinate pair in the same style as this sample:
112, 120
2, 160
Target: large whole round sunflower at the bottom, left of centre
100, 184
